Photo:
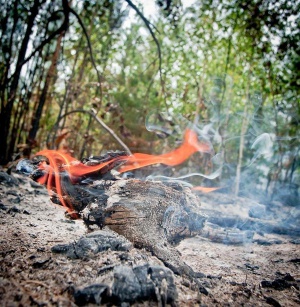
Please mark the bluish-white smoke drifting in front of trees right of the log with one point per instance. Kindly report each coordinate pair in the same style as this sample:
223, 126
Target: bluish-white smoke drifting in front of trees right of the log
248, 146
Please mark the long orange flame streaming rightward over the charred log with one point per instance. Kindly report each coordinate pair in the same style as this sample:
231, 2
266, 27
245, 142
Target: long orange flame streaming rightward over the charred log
59, 162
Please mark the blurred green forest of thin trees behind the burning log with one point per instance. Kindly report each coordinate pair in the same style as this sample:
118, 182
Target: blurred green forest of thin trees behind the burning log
92, 76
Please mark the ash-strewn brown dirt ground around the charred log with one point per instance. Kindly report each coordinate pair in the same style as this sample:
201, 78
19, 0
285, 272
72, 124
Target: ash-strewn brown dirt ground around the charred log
249, 274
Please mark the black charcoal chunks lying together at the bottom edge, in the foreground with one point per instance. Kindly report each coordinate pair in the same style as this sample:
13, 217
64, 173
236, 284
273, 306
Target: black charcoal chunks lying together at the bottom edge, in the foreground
130, 285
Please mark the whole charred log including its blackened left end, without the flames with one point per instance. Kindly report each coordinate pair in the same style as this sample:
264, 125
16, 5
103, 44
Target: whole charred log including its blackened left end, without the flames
149, 214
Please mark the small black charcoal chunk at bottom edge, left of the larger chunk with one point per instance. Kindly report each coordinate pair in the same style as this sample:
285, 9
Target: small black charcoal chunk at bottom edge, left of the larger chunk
94, 294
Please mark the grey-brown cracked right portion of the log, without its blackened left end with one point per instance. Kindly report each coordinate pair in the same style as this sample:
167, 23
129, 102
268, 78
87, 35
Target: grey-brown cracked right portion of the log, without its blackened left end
149, 214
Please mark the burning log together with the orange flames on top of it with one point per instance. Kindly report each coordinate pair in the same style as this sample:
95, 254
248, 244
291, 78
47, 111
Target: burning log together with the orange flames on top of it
150, 214
